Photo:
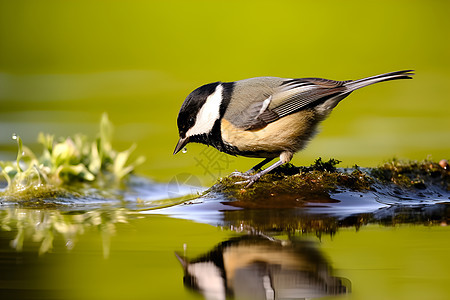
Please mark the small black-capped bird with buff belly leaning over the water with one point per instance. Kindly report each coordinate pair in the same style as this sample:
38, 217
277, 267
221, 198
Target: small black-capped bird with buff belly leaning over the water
265, 117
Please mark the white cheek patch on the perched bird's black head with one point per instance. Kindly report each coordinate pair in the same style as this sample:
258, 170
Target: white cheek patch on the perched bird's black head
208, 114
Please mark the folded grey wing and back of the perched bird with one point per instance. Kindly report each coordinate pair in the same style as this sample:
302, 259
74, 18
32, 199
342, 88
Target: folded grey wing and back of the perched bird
273, 99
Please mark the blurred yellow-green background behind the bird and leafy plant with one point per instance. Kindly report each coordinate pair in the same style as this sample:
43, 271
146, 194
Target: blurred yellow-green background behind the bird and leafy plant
63, 63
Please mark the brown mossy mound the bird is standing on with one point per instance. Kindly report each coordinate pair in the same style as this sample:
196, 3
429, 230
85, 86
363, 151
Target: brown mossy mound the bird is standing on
290, 186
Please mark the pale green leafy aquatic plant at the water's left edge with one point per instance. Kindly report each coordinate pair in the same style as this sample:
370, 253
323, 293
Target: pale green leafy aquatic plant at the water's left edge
63, 161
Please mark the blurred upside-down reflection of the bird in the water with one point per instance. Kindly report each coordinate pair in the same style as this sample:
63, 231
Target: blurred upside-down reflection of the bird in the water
254, 267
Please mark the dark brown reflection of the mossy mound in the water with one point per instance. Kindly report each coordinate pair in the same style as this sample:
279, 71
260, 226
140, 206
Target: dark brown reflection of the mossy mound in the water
294, 221
